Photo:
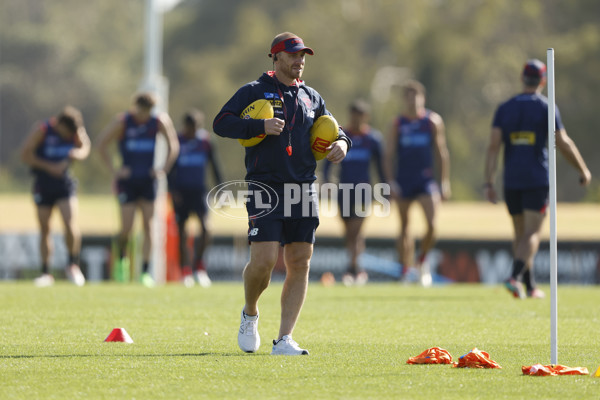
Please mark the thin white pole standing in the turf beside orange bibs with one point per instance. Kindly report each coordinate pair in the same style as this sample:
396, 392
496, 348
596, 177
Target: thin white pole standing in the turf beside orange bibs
552, 179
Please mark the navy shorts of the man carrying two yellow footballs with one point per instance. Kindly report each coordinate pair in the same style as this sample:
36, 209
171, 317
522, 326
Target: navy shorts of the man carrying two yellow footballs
293, 216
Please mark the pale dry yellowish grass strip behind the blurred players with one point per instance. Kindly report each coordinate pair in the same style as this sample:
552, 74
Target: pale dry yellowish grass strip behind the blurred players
474, 220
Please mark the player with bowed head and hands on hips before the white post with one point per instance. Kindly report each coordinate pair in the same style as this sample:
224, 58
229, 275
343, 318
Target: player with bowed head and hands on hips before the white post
136, 132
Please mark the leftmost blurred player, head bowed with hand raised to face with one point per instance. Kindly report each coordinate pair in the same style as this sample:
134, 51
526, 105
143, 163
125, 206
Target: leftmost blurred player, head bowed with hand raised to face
49, 150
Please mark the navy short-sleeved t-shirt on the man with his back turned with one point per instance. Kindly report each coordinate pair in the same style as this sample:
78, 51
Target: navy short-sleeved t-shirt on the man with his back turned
523, 121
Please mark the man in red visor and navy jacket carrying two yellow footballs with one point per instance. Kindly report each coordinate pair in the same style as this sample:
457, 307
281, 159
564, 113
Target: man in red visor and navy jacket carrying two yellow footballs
283, 157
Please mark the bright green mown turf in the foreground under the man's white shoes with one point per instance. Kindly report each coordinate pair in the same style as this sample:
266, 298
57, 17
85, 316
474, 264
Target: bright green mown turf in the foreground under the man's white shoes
359, 338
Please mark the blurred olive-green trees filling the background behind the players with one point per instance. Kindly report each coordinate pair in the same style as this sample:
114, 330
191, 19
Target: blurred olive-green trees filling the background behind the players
469, 54
